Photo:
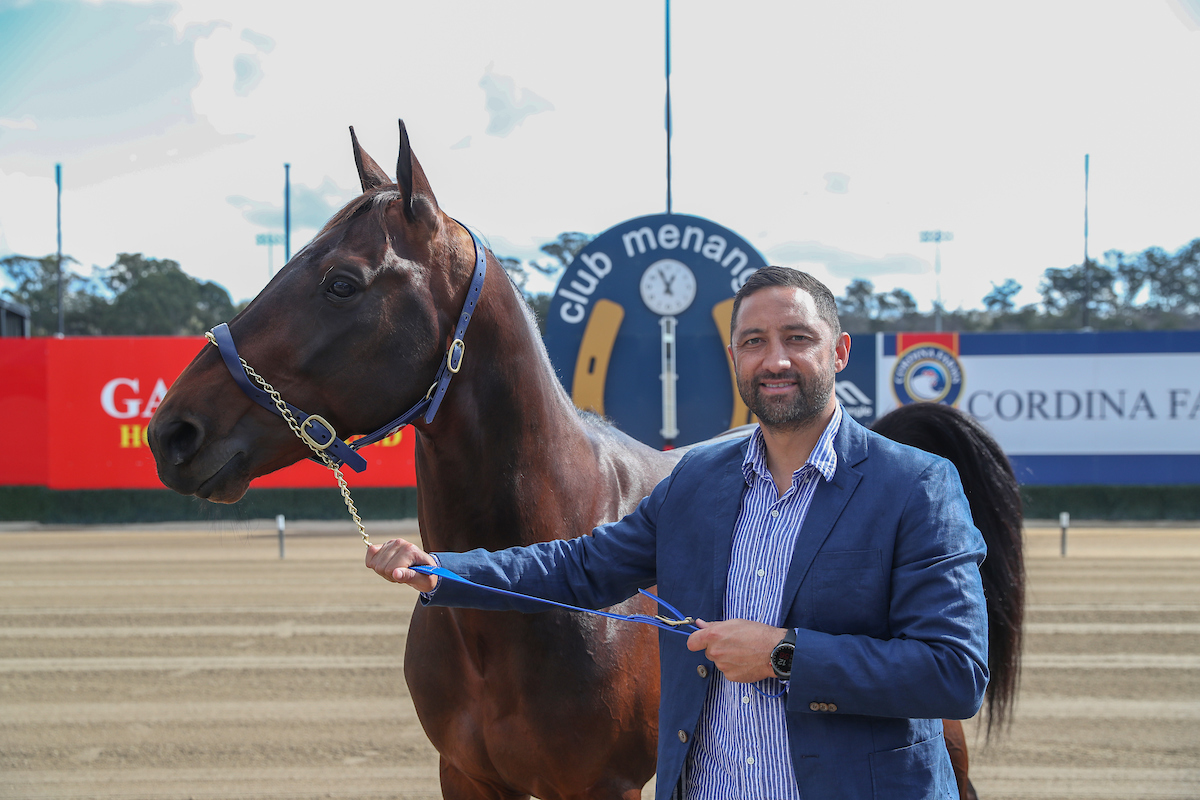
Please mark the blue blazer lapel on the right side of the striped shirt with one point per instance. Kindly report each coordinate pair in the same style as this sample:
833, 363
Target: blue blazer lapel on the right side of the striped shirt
829, 503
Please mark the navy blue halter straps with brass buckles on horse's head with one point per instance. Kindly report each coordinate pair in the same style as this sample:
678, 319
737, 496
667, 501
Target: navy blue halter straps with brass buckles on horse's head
320, 435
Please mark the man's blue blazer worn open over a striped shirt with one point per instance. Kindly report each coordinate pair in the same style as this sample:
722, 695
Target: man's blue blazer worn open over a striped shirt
884, 587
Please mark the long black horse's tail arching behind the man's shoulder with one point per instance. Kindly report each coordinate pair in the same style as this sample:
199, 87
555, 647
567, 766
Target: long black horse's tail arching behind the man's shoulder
995, 502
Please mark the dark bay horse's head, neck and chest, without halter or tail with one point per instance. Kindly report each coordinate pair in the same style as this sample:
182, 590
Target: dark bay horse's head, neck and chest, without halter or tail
355, 328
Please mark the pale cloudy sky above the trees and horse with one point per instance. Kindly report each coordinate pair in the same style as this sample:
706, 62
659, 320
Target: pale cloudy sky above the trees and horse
829, 135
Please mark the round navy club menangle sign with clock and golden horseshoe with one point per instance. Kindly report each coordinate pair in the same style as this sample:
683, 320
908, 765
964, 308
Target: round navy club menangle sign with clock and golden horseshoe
639, 324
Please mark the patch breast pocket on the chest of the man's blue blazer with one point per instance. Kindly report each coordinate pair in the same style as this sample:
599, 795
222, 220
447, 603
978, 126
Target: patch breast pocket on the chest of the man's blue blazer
849, 592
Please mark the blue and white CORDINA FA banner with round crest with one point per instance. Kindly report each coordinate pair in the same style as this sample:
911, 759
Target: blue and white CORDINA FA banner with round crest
1097, 408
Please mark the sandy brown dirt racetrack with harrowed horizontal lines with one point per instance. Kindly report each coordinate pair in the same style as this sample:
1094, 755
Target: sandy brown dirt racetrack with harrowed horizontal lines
181, 663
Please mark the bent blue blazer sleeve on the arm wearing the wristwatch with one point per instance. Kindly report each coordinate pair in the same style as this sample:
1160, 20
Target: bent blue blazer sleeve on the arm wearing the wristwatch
934, 665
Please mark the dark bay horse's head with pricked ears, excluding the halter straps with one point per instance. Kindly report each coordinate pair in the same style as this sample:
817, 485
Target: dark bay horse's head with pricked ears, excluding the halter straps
352, 329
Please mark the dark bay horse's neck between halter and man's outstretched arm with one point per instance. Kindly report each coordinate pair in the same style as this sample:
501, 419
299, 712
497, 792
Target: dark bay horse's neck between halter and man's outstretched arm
503, 462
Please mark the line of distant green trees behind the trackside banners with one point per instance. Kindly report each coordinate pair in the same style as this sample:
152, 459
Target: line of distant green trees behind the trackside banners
1154, 290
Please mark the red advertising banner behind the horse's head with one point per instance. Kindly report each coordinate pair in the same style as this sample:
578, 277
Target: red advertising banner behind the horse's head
81, 408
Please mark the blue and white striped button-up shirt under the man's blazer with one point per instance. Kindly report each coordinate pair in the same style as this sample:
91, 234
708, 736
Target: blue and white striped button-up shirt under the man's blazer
741, 747
